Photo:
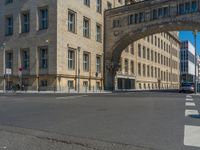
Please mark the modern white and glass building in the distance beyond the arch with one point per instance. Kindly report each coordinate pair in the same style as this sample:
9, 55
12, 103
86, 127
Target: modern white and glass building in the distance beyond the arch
187, 62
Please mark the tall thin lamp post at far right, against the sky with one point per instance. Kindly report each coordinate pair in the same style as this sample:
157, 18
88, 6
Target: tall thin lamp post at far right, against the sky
195, 46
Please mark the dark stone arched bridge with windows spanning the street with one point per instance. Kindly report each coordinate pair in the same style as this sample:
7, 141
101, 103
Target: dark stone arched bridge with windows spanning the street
130, 23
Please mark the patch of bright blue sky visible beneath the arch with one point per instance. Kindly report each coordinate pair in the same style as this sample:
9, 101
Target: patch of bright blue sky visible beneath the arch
188, 35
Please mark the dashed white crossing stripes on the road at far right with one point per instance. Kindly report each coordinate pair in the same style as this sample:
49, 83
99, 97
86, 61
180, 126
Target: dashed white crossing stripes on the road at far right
191, 132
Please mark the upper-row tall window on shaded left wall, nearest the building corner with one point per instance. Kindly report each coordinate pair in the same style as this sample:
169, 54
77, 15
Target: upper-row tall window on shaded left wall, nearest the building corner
43, 18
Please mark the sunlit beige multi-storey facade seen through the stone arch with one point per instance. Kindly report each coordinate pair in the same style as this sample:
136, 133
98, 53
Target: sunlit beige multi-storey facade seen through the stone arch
150, 63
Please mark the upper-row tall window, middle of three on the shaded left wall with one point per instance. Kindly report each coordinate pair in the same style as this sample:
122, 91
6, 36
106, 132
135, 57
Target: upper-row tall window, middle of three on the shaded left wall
25, 22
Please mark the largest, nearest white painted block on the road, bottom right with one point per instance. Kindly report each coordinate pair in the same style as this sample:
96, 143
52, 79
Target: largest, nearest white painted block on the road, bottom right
192, 136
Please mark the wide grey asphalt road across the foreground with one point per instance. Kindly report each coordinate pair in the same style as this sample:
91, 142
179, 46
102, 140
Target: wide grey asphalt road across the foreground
135, 121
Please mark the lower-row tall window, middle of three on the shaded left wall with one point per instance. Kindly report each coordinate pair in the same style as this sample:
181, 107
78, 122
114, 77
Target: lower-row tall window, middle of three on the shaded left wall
25, 59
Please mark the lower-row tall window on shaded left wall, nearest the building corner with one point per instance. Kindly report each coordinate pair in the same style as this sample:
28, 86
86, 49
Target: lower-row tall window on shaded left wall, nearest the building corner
43, 58
